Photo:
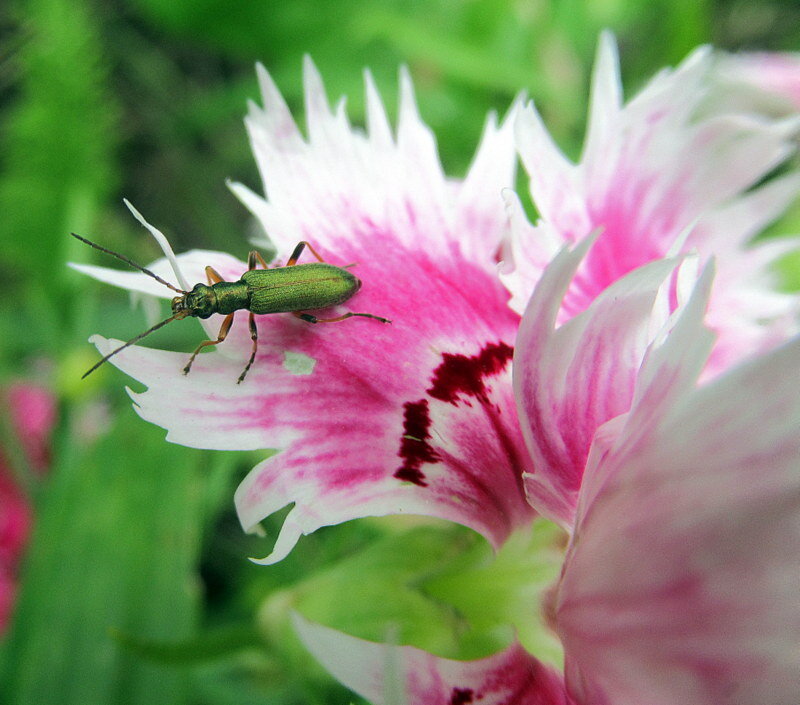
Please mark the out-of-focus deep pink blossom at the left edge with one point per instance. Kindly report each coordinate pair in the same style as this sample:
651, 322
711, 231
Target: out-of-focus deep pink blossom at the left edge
32, 413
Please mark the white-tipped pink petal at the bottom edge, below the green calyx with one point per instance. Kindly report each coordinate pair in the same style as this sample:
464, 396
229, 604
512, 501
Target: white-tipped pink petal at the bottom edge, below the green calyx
386, 674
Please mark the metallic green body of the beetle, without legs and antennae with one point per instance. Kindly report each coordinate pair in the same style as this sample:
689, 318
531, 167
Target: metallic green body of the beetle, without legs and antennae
278, 290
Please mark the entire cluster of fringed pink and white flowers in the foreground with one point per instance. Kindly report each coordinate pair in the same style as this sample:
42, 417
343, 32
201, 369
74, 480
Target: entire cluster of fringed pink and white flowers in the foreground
651, 409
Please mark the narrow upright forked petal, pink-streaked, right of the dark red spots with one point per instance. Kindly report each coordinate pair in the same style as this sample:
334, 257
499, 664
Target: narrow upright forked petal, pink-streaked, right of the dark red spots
569, 381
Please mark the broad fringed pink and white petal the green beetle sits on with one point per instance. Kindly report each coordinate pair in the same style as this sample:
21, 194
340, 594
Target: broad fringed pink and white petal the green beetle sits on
370, 419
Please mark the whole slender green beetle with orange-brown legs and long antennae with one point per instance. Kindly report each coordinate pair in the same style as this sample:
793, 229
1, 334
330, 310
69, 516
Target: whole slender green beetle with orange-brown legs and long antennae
292, 288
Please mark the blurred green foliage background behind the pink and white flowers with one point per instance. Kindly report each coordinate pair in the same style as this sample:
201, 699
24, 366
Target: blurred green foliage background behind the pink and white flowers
135, 587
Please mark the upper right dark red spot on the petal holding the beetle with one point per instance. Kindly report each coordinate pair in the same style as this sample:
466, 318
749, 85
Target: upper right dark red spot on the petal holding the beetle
459, 374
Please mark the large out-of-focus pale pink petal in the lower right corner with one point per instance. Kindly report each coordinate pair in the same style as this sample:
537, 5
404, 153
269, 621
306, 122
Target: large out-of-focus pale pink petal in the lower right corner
681, 582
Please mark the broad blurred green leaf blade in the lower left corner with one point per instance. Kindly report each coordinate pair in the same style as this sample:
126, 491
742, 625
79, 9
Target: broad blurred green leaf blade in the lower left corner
115, 548
